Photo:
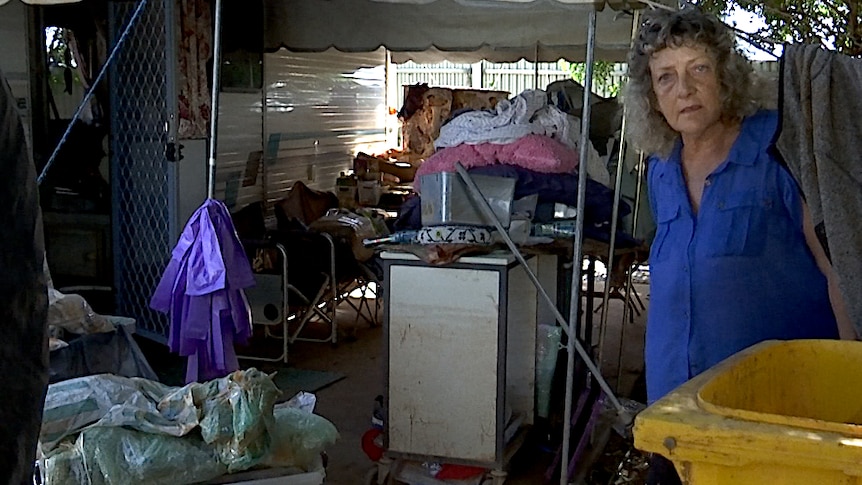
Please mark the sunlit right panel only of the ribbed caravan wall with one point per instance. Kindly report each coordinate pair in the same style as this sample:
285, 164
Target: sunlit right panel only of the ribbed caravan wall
321, 109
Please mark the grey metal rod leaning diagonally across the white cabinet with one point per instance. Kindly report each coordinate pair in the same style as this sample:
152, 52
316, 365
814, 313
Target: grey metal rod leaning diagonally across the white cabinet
477, 196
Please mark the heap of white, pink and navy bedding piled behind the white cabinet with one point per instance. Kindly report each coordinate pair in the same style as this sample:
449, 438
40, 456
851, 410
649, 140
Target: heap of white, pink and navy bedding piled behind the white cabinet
530, 139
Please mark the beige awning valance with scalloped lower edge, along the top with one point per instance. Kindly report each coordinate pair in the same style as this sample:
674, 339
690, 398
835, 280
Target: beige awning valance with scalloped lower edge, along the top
457, 30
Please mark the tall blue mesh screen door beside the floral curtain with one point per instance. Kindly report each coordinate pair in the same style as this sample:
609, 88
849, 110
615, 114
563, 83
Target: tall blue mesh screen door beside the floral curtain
143, 180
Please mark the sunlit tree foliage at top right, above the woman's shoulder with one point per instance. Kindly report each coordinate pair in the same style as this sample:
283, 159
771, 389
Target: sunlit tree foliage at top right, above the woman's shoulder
834, 24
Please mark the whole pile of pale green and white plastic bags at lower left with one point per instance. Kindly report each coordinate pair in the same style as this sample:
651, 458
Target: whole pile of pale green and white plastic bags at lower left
113, 430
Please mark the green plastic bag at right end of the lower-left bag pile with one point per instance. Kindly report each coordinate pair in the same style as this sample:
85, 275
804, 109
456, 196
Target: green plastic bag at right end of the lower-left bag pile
298, 438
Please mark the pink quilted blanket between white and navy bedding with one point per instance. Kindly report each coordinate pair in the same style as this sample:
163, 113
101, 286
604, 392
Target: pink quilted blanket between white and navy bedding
535, 152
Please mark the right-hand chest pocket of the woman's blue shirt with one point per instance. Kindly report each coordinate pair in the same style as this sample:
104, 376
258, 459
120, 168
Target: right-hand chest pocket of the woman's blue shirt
736, 226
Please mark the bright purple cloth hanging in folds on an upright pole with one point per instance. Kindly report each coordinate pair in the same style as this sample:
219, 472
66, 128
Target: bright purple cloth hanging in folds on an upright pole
202, 292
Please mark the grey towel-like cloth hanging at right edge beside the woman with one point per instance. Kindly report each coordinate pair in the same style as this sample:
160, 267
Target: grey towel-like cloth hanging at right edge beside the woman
821, 141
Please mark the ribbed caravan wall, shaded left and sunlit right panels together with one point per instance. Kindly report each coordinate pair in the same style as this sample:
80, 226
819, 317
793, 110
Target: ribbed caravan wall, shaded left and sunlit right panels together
320, 109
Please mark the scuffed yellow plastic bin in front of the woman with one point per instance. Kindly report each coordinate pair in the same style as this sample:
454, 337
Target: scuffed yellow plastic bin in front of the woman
779, 412
